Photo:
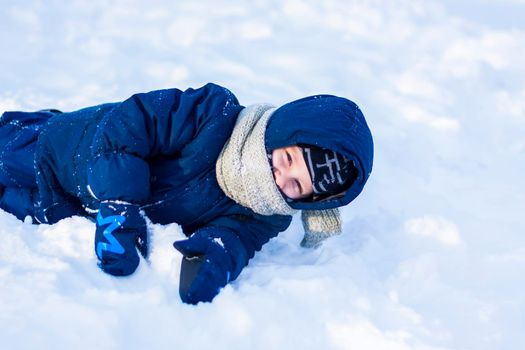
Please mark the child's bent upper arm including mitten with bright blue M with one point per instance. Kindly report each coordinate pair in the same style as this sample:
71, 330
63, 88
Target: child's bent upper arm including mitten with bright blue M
145, 125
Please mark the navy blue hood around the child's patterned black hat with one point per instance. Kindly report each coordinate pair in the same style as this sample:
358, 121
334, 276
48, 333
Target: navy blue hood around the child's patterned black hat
326, 121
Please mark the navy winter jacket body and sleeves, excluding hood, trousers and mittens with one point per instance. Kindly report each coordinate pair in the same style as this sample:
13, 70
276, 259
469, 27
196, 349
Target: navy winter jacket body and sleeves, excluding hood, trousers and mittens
157, 150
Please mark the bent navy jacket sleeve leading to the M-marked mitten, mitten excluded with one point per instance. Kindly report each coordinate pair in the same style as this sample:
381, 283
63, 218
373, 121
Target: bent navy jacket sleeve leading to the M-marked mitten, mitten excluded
146, 125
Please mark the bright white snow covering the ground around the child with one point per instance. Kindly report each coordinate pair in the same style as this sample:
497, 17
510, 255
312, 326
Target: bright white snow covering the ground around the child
432, 255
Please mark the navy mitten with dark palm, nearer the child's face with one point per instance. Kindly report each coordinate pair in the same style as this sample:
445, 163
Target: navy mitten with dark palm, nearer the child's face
206, 268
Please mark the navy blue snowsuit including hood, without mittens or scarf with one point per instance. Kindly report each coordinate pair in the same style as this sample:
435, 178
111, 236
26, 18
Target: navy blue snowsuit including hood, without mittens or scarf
156, 152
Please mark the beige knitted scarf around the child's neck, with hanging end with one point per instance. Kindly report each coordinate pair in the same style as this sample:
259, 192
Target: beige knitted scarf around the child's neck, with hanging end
245, 175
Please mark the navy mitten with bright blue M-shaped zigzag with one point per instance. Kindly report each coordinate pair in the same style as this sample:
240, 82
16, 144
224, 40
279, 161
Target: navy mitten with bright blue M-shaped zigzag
121, 230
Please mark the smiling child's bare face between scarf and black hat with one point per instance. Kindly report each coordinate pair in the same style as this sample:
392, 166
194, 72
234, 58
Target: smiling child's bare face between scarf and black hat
290, 172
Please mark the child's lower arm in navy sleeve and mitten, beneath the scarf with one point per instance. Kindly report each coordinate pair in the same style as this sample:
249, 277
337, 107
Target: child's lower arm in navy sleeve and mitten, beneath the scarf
215, 255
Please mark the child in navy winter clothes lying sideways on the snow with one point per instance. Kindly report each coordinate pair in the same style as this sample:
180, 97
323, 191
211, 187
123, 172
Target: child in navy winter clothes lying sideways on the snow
230, 176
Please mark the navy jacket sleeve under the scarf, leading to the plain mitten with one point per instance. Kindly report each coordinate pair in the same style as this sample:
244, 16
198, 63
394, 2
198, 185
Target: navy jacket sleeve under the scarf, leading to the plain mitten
243, 235
